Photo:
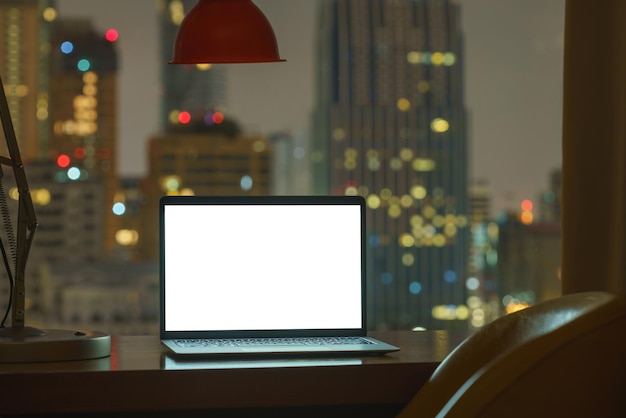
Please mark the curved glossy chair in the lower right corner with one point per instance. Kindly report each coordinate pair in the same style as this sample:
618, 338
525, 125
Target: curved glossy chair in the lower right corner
562, 357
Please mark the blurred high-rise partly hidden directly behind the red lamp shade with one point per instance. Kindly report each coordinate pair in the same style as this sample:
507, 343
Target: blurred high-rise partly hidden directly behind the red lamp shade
196, 91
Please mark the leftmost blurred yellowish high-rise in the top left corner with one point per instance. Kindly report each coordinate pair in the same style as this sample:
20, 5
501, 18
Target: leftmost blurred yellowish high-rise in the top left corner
24, 49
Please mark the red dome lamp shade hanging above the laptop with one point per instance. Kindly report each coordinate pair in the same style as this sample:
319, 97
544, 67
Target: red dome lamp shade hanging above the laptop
224, 32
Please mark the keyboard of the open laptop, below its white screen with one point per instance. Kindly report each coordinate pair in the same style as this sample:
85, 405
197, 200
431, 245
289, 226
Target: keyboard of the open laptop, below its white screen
259, 342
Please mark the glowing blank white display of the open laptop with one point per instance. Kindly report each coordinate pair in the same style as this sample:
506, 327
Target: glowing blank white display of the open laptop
262, 267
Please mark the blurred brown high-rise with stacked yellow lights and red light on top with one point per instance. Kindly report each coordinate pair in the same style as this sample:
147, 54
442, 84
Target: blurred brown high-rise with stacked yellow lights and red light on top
83, 112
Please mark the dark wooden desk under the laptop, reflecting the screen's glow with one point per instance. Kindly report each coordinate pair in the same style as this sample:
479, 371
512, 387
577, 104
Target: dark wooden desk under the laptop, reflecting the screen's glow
138, 378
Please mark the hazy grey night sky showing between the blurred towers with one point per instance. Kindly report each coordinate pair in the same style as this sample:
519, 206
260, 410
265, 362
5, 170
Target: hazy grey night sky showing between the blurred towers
513, 84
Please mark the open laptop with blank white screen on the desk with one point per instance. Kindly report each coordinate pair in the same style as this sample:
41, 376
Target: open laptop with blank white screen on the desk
264, 275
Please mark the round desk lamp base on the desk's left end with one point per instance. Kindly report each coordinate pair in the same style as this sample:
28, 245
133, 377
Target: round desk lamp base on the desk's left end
30, 345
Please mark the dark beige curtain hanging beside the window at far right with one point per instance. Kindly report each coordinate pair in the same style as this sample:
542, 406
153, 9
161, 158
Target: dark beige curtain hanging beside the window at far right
594, 146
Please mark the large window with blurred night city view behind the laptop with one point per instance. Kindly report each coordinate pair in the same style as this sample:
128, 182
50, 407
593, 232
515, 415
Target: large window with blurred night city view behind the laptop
444, 114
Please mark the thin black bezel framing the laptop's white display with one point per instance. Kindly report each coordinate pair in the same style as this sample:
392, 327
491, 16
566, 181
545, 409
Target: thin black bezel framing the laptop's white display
259, 200
